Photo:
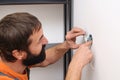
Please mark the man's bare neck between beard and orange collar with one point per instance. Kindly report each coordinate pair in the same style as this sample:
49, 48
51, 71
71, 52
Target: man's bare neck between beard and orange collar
16, 66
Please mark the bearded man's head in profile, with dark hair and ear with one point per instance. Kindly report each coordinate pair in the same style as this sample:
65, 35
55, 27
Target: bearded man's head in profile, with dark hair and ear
21, 38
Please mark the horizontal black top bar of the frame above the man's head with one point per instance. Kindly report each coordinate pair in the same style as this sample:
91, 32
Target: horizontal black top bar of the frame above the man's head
30, 1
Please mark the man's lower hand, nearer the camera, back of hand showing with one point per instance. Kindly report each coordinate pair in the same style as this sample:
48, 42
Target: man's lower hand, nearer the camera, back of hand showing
83, 55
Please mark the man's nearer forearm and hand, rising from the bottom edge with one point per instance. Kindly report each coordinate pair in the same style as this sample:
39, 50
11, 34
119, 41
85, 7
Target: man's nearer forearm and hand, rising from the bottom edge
81, 57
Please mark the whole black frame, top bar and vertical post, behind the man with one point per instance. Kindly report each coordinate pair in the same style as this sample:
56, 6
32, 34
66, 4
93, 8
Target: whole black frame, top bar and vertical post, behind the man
67, 19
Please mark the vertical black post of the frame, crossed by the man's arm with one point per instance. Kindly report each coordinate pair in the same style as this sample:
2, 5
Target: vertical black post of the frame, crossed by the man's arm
68, 23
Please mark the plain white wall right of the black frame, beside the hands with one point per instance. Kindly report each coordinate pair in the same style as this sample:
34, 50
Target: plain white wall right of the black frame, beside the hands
101, 18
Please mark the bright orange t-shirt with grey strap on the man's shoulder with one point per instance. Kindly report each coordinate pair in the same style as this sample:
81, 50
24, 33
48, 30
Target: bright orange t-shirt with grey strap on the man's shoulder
6, 70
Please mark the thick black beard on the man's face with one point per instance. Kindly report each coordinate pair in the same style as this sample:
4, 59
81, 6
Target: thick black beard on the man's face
34, 59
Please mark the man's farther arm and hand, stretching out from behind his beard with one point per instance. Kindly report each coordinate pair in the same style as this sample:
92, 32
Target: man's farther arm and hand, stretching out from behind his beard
55, 53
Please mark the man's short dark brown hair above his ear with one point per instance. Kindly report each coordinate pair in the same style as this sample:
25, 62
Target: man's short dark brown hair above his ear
15, 30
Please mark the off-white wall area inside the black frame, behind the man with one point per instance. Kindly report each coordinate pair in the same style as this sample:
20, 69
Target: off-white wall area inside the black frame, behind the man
52, 19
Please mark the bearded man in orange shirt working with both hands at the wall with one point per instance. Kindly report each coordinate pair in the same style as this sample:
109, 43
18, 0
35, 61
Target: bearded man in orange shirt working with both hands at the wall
22, 46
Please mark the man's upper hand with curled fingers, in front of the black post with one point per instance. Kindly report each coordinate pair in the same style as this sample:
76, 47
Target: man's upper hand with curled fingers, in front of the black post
71, 37
